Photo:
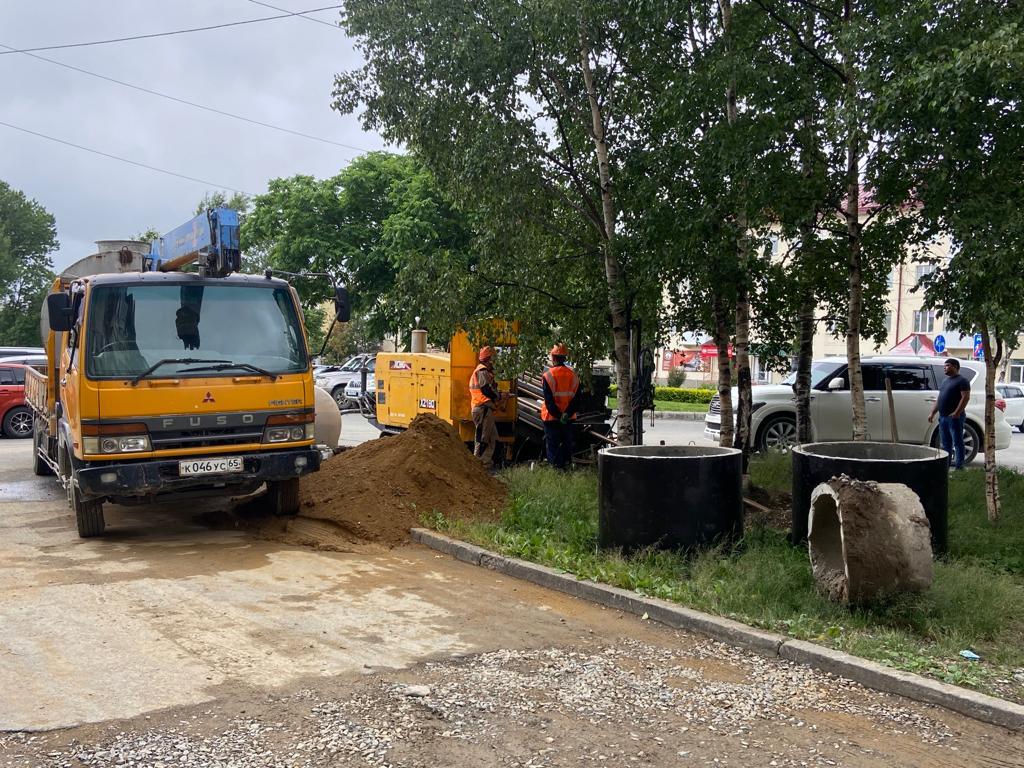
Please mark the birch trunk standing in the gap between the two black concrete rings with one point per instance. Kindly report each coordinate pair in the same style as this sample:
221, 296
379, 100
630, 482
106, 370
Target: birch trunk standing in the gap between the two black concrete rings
745, 400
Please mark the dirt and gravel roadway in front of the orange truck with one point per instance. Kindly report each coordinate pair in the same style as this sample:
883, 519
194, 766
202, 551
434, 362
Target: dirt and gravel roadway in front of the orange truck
174, 644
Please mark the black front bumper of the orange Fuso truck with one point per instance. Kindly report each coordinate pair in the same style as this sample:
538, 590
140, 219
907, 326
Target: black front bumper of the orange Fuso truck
156, 478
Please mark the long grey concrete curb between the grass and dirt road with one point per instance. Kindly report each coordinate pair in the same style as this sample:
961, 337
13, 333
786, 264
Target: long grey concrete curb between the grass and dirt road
871, 675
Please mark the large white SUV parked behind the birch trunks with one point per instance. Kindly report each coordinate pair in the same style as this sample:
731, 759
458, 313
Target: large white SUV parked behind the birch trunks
915, 383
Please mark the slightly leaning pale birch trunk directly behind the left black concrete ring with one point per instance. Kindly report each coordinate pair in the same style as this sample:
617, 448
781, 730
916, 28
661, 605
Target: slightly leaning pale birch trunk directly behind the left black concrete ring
613, 269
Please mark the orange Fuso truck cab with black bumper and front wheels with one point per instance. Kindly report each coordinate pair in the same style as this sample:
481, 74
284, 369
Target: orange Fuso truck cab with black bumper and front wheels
169, 386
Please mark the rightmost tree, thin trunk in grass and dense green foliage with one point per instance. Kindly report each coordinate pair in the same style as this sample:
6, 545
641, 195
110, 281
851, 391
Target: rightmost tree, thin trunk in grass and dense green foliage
953, 118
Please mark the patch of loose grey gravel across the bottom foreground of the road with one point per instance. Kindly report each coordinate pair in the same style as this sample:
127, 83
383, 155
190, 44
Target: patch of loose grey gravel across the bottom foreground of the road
629, 704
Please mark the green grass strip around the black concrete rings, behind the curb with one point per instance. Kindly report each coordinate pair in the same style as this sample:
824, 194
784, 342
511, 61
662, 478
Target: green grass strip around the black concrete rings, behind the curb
976, 601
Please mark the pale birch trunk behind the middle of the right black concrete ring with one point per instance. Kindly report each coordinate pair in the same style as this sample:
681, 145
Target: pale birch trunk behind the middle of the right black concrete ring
854, 235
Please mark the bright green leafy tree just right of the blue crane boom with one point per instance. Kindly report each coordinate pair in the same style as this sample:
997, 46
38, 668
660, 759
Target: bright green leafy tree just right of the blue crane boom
382, 228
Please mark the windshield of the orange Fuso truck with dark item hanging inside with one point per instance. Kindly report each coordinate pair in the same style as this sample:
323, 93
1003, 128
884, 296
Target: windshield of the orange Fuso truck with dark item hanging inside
131, 328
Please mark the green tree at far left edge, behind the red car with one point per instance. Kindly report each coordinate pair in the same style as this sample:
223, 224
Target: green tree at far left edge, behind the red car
28, 237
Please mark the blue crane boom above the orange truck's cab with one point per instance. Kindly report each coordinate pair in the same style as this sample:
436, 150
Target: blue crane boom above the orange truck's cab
210, 239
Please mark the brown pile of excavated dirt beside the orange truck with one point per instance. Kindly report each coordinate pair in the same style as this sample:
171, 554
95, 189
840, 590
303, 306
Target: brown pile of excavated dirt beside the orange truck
378, 491
